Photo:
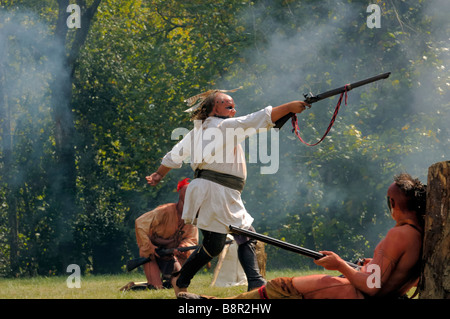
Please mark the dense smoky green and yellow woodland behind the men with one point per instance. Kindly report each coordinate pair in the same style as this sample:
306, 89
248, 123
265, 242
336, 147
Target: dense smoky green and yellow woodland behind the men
86, 114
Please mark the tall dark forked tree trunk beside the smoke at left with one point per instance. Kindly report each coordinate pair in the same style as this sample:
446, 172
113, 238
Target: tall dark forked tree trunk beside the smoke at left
63, 174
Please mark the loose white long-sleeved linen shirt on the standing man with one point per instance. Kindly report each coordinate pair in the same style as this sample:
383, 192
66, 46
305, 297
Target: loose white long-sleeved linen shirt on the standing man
215, 145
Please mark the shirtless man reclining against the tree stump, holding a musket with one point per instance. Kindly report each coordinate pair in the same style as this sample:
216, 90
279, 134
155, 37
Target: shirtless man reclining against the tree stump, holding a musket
397, 257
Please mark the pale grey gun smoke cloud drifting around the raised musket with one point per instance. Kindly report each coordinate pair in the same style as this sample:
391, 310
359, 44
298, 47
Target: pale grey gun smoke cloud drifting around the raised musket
318, 56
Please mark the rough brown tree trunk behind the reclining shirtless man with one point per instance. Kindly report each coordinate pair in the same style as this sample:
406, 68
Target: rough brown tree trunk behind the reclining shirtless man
435, 277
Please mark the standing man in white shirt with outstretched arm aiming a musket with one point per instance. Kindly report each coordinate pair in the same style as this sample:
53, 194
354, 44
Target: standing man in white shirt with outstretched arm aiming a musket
213, 199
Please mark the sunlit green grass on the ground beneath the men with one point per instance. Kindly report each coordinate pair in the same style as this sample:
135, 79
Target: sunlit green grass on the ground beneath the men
107, 287
